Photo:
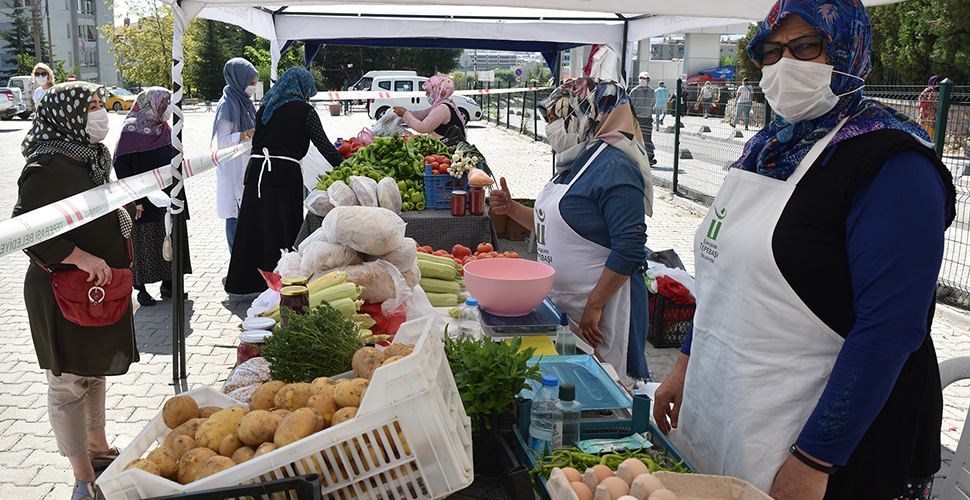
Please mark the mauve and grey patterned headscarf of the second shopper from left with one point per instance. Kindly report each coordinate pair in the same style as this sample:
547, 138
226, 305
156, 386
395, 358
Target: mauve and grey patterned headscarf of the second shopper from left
145, 127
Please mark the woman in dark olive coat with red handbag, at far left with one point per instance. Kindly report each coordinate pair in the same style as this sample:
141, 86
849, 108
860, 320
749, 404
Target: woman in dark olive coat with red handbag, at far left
65, 156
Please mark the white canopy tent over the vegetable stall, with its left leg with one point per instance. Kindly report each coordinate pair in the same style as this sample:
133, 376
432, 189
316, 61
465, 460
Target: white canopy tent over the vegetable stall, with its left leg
617, 23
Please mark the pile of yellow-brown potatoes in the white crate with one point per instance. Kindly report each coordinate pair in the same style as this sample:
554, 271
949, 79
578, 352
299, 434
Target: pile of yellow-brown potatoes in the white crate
207, 440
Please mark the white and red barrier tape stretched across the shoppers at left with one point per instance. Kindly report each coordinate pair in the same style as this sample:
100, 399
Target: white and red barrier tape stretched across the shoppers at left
70, 213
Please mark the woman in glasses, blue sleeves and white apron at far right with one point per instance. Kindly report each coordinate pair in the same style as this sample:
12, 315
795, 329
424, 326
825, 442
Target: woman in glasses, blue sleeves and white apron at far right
810, 370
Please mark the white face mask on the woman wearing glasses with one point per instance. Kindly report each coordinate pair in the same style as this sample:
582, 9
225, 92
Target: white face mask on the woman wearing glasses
800, 90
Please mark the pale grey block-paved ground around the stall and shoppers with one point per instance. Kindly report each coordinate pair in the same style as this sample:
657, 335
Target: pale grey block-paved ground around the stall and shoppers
28, 454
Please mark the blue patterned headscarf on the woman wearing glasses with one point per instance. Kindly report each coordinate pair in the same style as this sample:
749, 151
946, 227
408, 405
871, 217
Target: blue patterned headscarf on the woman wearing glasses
776, 150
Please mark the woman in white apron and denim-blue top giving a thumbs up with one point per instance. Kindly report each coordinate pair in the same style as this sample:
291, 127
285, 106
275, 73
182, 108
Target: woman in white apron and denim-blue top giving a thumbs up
589, 225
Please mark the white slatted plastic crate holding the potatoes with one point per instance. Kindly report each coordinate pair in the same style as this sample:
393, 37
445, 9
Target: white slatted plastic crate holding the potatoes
428, 458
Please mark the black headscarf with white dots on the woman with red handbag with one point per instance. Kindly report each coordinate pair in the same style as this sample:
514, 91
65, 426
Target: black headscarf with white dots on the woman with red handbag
60, 127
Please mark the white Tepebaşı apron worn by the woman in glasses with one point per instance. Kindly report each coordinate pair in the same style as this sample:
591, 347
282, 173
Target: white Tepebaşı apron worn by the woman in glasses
760, 358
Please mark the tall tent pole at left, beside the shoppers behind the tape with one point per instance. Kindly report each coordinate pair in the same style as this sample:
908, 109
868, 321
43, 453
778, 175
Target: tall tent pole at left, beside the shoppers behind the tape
176, 210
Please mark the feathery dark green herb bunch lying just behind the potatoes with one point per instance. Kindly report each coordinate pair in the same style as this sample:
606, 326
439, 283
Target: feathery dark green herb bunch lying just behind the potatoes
319, 343
